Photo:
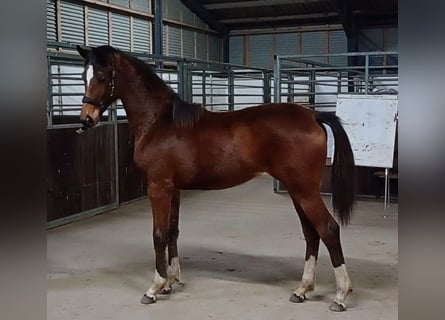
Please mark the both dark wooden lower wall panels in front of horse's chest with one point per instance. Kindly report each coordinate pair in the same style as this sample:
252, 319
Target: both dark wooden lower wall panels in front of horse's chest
81, 170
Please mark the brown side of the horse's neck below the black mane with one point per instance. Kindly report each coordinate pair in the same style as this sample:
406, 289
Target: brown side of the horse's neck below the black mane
146, 101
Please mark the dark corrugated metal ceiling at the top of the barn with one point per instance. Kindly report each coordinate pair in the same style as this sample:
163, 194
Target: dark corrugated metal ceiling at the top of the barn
252, 14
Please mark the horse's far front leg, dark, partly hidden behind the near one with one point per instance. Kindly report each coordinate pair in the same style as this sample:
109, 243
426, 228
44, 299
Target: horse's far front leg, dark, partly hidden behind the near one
173, 269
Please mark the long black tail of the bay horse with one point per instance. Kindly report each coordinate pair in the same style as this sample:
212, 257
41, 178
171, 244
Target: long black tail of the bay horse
343, 168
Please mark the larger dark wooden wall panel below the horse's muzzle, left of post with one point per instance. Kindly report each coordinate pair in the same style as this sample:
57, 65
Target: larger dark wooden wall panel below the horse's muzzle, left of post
80, 170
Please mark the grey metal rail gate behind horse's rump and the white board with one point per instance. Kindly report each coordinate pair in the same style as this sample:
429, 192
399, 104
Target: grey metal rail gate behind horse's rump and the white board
306, 80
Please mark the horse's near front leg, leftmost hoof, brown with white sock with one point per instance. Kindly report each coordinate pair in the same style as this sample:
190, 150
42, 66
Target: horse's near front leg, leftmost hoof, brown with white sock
160, 195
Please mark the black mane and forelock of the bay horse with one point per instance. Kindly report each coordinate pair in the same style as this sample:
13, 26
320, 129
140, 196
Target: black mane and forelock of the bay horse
184, 114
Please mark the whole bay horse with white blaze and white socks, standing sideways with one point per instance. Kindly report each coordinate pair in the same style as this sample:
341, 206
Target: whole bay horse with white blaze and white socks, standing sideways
180, 145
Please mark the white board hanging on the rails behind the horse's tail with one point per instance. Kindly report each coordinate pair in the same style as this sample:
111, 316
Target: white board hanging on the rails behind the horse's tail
370, 123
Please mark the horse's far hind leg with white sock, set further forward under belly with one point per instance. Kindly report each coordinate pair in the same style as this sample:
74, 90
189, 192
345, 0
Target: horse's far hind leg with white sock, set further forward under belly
312, 245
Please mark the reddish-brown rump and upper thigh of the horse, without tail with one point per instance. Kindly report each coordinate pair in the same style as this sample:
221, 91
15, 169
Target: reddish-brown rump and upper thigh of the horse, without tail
293, 148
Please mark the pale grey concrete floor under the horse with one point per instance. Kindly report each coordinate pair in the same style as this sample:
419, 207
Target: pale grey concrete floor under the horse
242, 255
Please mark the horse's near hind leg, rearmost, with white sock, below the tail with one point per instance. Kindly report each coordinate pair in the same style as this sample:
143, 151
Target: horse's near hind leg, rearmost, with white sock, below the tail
329, 232
